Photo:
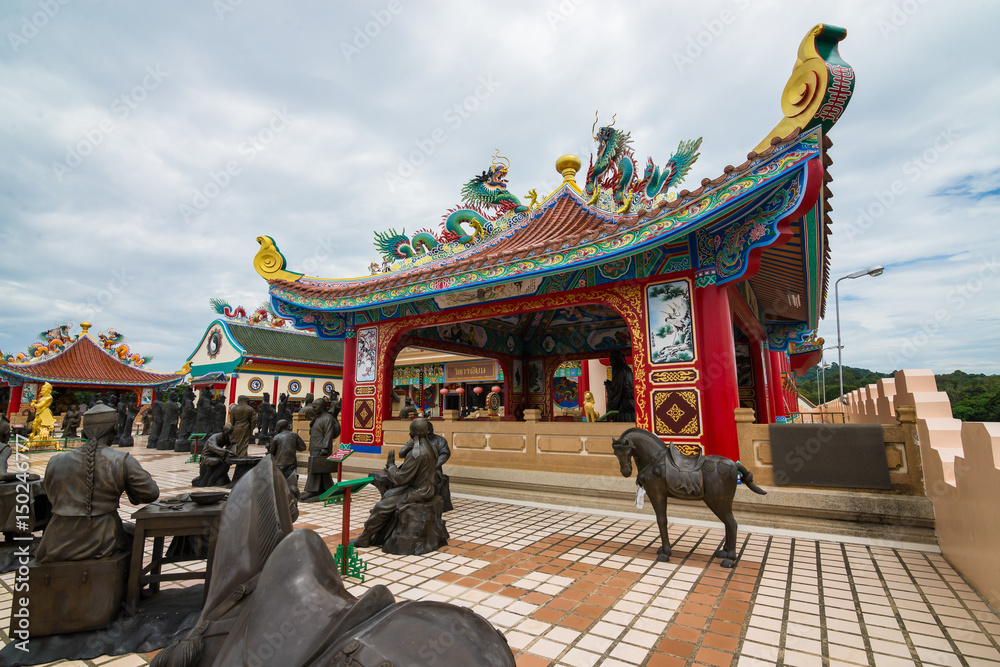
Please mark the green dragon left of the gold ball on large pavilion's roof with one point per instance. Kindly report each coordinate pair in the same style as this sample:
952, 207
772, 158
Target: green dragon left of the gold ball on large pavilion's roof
487, 207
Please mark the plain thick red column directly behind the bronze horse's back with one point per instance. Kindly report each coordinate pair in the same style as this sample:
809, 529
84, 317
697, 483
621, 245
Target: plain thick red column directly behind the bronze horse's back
720, 394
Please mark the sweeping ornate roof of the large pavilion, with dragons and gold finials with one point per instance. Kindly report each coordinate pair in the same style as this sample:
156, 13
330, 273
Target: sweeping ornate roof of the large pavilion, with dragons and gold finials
765, 220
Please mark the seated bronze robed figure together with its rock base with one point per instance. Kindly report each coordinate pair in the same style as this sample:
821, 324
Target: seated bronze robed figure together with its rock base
408, 519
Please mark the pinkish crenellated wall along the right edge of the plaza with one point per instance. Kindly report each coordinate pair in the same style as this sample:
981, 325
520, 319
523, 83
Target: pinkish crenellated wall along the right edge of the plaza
961, 463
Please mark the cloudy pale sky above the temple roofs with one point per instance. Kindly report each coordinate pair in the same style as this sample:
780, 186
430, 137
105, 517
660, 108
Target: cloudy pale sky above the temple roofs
146, 145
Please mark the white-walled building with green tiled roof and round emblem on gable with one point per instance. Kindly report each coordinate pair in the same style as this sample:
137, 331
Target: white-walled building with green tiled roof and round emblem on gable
238, 356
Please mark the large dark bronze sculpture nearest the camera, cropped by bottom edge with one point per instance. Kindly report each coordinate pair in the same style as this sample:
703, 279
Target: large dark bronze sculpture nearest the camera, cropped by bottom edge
276, 599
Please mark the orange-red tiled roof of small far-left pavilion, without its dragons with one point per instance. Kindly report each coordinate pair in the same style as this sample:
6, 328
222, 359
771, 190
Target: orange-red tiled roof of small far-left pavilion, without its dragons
85, 362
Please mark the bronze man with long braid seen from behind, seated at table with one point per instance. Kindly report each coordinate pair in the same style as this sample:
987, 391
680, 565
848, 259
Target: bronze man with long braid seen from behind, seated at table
85, 487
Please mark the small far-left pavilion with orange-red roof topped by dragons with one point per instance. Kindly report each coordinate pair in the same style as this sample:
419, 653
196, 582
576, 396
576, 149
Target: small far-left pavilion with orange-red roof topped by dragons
80, 363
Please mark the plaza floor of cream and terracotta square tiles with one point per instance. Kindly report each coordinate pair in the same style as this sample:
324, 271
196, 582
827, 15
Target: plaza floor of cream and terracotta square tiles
577, 589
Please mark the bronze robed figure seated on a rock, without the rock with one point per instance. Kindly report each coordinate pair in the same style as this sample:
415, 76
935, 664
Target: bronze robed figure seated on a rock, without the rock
413, 480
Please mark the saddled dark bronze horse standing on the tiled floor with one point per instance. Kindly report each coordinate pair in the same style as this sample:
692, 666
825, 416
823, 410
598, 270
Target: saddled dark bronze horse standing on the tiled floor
666, 473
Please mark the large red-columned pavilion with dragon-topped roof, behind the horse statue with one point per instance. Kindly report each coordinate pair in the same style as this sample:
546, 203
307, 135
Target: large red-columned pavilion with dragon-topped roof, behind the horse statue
702, 289
